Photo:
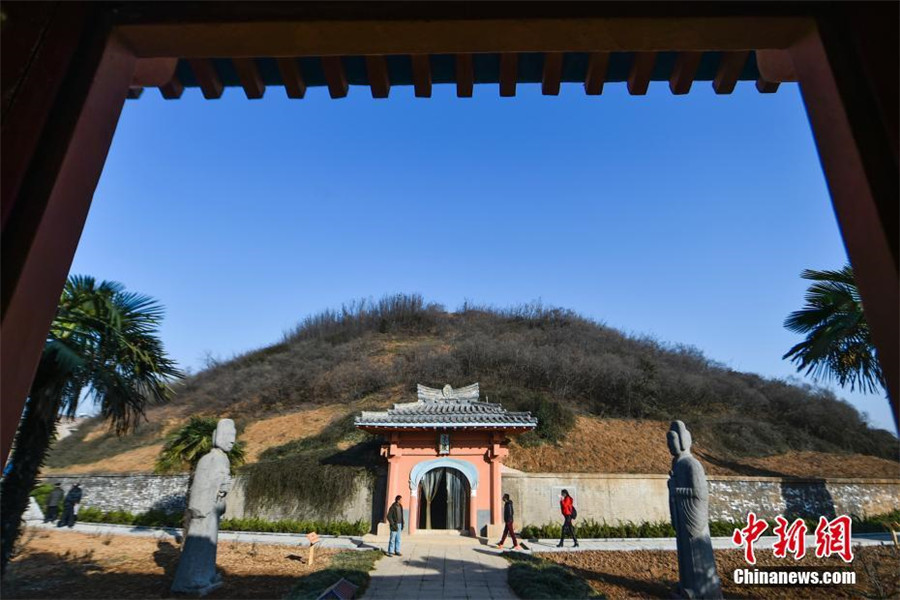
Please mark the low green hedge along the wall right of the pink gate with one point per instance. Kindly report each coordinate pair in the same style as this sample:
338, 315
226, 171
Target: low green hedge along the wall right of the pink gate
594, 529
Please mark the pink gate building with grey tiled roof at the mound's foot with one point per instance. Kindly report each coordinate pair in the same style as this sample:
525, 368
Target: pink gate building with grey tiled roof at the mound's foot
444, 455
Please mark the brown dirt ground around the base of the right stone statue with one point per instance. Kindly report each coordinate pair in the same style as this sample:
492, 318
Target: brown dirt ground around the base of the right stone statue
654, 574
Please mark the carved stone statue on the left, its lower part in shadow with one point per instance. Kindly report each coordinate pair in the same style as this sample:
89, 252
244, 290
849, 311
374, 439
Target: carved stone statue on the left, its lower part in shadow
196, 572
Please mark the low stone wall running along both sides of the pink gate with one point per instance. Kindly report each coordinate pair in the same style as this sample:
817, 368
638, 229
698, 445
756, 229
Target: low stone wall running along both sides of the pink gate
602, 497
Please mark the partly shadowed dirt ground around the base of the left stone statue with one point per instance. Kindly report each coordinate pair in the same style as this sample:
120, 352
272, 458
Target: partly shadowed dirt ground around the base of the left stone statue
64, 564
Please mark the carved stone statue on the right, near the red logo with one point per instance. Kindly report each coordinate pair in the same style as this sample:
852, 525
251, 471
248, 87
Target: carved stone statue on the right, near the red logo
689, 505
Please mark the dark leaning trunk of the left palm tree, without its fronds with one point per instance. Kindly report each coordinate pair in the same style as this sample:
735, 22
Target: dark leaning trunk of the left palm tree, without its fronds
36, 431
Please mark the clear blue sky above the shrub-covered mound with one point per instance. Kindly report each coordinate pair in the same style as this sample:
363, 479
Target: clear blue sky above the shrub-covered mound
688, 218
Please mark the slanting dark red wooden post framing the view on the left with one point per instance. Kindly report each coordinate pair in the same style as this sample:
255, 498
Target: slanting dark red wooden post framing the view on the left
42, 232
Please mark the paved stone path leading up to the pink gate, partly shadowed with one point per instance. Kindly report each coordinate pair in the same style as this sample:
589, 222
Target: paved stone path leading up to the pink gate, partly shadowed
435, 568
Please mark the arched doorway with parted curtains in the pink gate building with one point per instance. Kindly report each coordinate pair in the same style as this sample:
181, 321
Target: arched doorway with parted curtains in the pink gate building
443, 499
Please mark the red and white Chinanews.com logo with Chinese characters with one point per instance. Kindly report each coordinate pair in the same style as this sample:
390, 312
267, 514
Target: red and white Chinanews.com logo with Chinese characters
832, 538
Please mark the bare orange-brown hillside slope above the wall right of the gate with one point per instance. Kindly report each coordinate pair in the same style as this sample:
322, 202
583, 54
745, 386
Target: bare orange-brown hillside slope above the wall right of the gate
638, 446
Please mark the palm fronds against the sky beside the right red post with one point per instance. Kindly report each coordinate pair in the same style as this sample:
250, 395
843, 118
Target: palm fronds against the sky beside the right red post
837, 345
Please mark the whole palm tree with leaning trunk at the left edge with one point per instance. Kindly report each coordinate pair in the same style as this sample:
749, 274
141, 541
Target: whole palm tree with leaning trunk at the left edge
103, 341
